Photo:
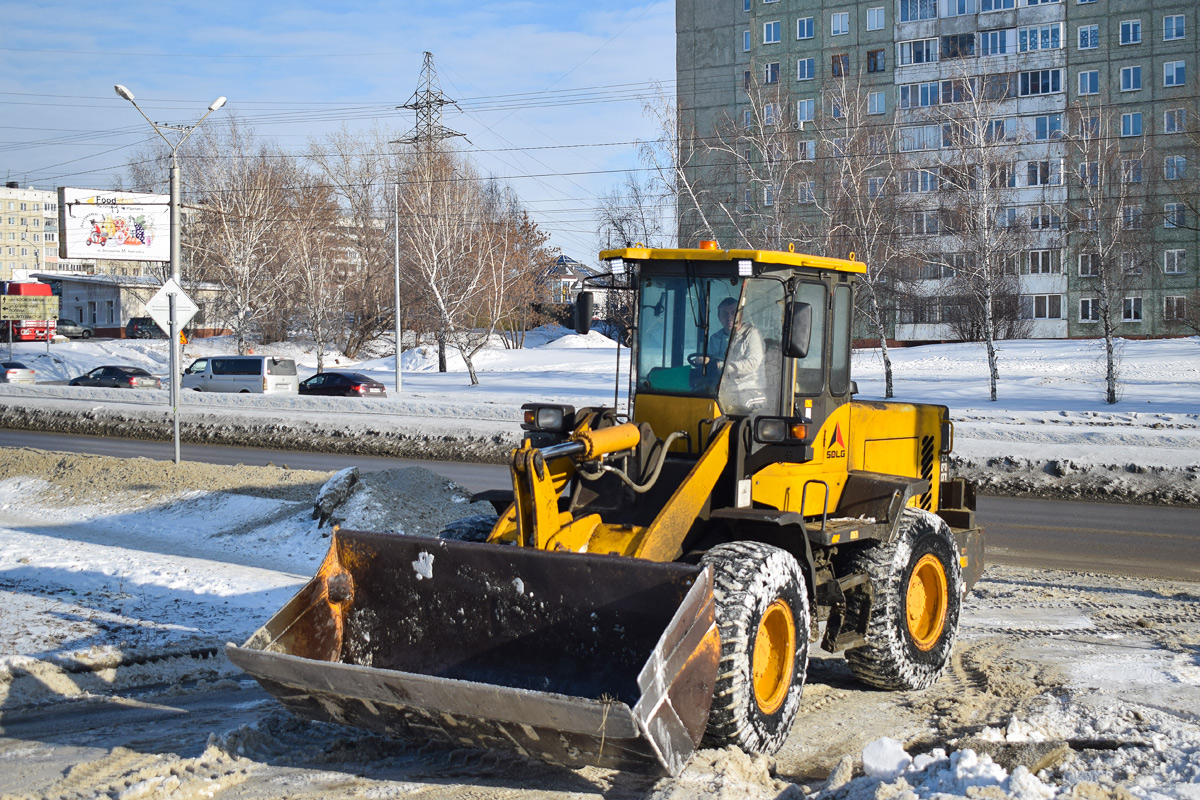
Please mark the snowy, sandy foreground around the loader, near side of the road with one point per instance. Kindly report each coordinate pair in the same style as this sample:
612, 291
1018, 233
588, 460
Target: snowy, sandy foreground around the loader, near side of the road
121, 574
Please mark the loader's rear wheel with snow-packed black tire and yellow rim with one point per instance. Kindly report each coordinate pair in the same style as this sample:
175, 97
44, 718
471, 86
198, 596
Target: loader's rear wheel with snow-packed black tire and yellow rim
909, 648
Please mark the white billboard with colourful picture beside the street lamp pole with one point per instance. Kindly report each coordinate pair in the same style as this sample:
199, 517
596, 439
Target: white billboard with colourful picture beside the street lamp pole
122, 226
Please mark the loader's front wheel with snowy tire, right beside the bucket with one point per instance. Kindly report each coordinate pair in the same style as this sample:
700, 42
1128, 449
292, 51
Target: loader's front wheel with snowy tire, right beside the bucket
760, 592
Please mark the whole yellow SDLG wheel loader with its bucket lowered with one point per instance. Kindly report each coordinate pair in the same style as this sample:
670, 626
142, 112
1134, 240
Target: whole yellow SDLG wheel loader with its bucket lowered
653, 580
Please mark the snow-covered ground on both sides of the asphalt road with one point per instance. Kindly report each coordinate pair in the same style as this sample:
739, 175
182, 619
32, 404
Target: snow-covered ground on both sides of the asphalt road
118, 574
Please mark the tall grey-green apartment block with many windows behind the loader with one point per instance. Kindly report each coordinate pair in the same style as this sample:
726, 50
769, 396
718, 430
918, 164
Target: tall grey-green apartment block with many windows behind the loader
1064, 75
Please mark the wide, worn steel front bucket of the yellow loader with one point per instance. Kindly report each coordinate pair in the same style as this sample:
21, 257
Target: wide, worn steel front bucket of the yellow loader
568, 658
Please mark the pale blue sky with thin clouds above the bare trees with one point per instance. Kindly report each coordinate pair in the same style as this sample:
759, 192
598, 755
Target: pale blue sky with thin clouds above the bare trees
549, 92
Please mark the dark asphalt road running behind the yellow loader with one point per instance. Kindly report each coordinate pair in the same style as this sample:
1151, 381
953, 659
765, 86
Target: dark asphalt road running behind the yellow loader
1115, 539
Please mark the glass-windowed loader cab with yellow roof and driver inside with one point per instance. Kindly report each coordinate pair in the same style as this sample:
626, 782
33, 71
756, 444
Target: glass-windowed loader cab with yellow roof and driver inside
740, 334
